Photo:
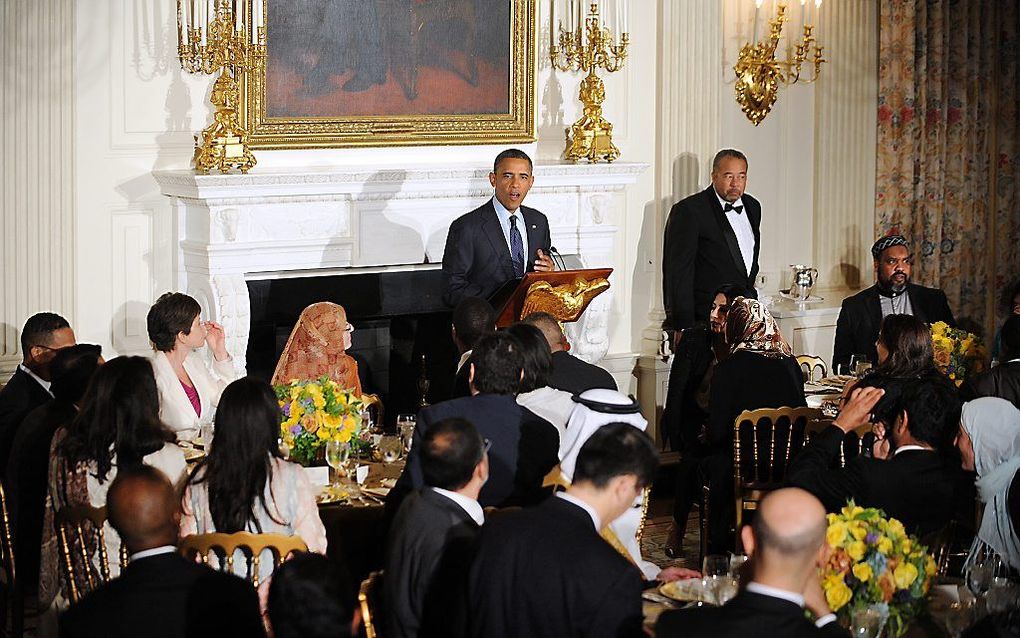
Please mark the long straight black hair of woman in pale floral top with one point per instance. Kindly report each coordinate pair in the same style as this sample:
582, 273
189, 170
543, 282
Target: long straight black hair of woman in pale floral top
240, 464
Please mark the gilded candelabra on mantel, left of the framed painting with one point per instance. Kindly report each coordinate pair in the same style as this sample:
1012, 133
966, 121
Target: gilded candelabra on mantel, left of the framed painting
229, 39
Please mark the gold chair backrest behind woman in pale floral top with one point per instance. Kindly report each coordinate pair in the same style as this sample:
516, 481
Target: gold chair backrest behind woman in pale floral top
224, 547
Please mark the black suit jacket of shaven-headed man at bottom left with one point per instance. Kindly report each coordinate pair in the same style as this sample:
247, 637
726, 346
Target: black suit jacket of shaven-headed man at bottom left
167, 597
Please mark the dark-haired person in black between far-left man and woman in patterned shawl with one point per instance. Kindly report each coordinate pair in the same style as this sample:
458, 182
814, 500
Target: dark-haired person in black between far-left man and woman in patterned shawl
71, 370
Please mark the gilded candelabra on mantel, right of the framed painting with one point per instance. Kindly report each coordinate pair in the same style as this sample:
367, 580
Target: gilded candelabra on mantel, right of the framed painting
586, 51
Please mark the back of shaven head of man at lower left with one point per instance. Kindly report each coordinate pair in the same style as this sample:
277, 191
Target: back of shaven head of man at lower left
143, 508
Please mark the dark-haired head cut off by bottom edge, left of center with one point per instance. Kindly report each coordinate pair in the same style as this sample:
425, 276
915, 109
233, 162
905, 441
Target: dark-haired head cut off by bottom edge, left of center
310, 598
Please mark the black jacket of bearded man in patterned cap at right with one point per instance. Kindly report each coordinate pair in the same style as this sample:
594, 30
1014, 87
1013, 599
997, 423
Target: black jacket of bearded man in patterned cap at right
861, 318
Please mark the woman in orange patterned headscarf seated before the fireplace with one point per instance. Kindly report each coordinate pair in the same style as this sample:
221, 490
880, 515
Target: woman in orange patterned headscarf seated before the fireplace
318, 347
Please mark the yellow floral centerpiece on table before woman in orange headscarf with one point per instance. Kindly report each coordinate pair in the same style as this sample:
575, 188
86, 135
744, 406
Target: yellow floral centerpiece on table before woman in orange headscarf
315, 413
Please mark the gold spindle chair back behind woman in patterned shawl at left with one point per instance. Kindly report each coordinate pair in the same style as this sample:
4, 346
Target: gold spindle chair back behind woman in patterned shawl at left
82, 541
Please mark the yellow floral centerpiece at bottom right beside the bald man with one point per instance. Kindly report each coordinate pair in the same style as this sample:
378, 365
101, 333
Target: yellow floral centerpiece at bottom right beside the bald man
874, 563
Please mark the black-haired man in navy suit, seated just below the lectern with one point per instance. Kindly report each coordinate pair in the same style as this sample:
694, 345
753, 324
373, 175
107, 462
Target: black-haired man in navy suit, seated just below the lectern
524, 446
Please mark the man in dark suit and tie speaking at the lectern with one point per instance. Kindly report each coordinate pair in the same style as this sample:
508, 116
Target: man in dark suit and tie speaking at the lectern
500, 240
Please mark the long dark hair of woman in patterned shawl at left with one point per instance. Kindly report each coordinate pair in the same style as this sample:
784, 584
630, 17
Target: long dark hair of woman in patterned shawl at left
120, 417
